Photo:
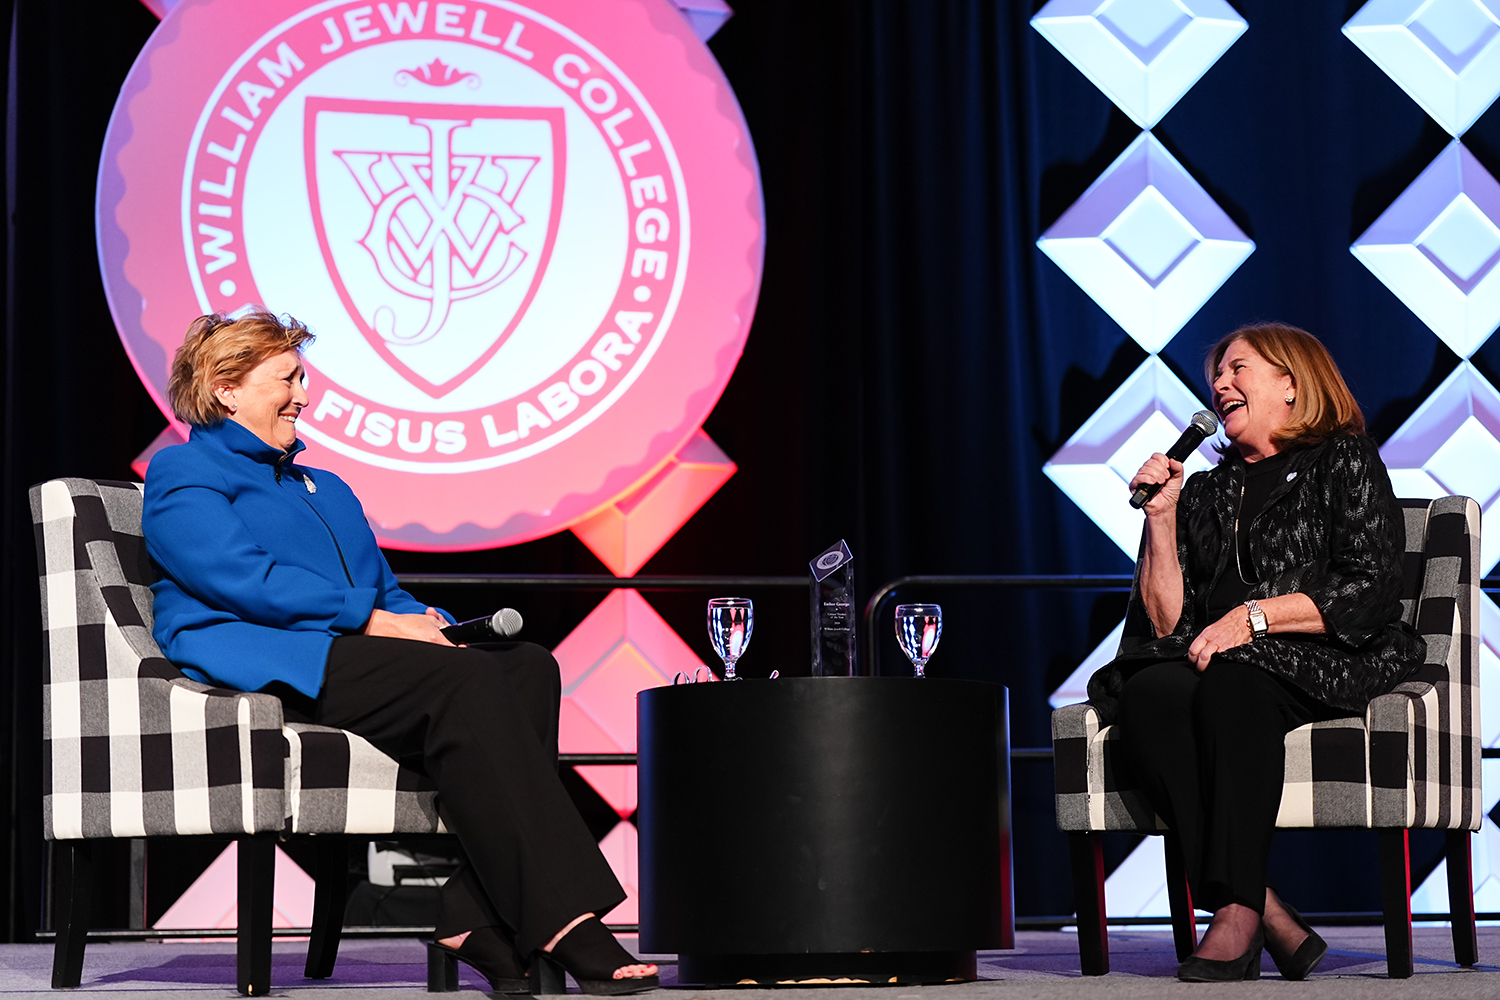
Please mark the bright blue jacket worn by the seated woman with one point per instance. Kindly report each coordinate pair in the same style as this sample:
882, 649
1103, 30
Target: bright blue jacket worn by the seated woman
265, 563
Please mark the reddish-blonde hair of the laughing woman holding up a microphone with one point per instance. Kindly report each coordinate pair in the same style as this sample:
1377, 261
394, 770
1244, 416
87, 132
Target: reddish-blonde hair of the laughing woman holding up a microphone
1324, 406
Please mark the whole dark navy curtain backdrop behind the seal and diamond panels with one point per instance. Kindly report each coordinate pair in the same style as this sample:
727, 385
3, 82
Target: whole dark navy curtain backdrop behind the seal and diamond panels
914, 362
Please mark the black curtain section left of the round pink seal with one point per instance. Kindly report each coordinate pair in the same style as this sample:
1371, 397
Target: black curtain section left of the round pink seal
73, 404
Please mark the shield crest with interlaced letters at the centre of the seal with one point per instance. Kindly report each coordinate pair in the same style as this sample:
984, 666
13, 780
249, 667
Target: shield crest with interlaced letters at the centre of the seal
436, 223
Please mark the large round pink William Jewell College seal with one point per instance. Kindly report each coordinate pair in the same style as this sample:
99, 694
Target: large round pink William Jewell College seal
527, 236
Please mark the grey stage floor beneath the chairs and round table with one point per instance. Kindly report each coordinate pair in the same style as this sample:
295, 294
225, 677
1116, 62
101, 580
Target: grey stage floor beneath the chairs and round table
1045, 965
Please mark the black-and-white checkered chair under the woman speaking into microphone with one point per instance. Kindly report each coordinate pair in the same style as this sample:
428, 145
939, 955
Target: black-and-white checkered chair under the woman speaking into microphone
1412, 762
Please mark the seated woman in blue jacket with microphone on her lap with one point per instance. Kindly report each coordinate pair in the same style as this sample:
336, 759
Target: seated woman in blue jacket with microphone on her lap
272, 581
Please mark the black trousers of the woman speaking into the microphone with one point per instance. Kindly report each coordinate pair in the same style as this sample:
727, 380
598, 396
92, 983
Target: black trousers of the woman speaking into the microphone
1210, 752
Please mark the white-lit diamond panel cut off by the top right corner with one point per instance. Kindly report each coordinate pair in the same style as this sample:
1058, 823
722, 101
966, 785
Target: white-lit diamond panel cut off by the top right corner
1444, 53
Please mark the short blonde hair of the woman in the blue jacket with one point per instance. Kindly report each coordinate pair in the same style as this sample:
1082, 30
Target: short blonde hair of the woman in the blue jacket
221, 352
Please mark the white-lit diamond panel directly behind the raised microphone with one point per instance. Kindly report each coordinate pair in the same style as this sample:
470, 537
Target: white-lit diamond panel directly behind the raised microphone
1144, 416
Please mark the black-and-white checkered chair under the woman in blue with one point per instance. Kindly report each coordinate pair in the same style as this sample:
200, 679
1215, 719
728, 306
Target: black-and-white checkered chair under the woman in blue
134, 749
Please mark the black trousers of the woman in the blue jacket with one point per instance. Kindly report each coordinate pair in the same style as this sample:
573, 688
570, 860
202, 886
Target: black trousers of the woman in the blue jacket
484, 725
